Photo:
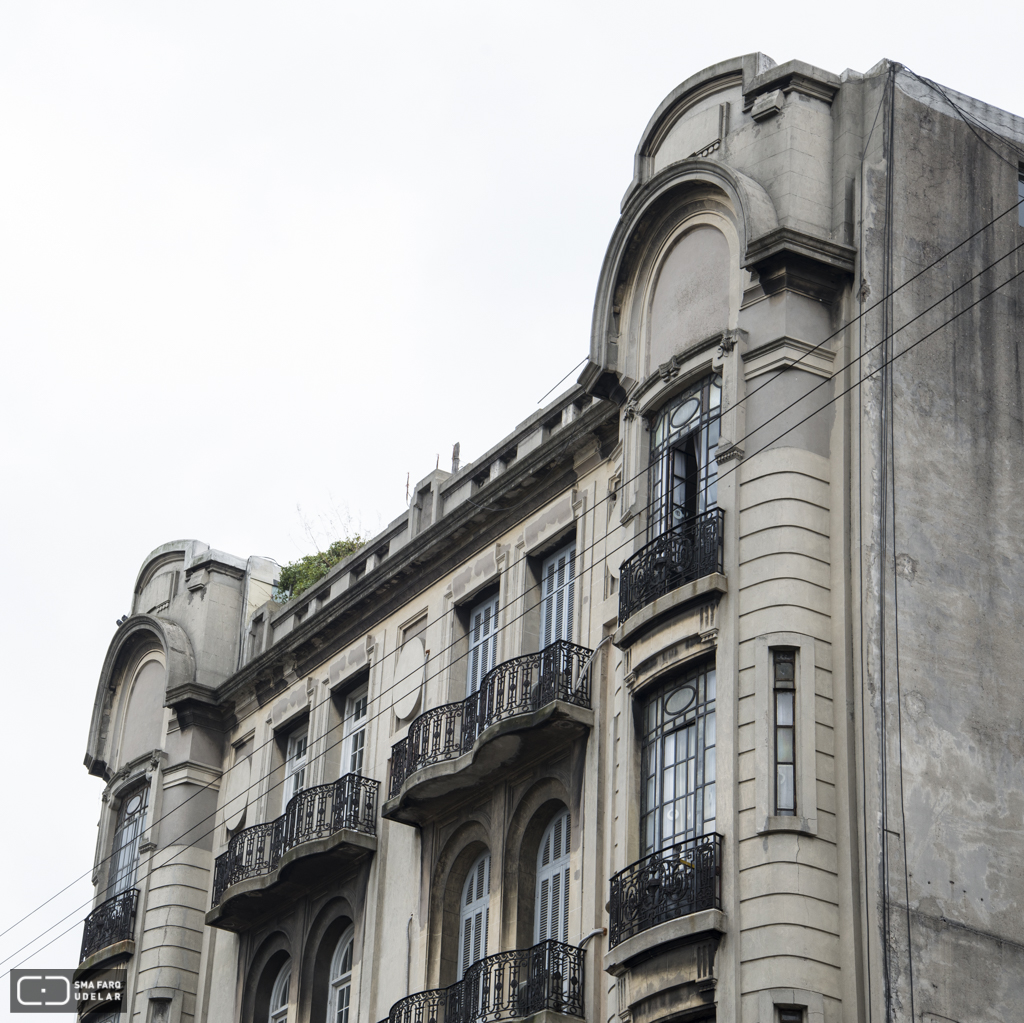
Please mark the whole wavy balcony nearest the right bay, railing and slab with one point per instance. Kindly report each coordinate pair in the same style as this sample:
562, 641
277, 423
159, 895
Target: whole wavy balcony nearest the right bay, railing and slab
523, 705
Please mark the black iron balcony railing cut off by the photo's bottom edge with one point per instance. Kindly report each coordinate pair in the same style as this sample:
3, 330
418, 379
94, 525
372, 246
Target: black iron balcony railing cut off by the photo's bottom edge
509, 986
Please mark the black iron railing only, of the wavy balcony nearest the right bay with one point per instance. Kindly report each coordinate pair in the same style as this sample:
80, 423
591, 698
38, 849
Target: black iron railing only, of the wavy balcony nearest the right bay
514, 688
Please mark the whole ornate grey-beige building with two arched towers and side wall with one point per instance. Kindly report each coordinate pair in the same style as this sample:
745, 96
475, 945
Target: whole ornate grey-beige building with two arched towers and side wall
697, 698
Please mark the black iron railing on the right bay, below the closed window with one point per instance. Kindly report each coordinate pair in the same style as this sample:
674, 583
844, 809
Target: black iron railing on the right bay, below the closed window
666, 885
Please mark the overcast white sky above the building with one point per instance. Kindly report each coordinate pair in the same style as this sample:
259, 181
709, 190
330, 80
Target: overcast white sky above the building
254, 257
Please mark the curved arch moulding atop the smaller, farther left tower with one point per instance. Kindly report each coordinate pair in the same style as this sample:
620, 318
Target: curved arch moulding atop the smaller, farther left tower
138, 635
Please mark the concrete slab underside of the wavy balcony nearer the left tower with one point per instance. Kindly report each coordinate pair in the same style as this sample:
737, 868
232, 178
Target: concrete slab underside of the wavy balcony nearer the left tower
249, 903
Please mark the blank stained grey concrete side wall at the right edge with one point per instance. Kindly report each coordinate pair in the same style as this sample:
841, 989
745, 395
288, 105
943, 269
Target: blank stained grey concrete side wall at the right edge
954, 727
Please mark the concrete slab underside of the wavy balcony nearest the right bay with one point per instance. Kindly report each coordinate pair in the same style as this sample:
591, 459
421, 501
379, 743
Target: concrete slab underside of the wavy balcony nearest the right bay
431, 791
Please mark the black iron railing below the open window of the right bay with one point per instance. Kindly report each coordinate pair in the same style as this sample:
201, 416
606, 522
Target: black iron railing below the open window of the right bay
692, 550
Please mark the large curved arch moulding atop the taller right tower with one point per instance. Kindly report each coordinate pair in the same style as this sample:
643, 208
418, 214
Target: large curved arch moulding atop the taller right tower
739, 197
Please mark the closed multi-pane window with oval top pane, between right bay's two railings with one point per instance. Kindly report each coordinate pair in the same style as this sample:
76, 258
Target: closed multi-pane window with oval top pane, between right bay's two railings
678, 761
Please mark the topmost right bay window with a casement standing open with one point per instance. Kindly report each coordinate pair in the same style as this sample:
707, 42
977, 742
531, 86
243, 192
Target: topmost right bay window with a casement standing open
684, 468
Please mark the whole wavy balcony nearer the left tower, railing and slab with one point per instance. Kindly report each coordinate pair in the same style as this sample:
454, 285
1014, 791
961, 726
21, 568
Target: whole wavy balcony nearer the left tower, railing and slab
330, 827
